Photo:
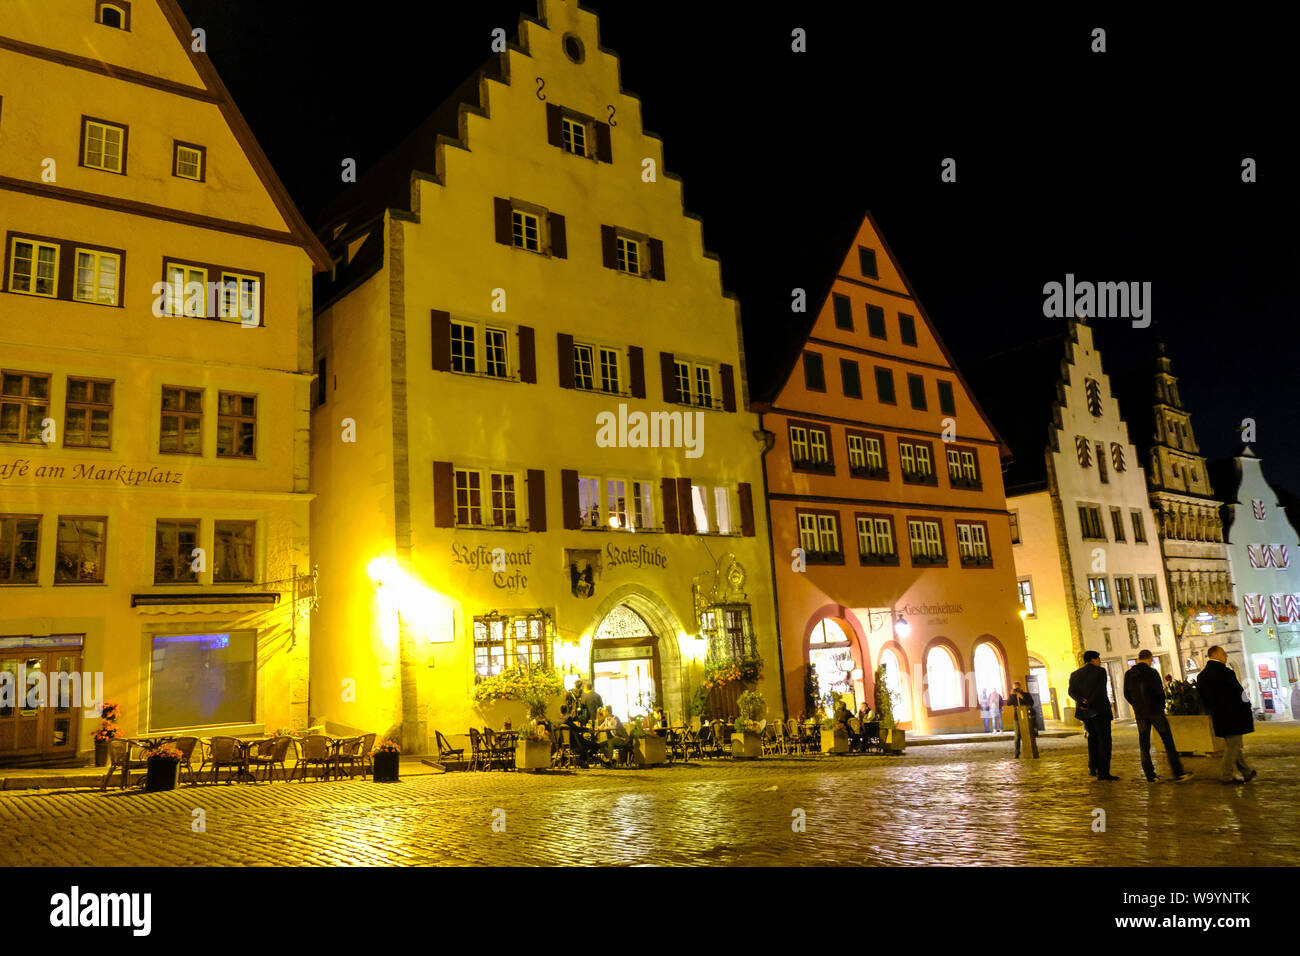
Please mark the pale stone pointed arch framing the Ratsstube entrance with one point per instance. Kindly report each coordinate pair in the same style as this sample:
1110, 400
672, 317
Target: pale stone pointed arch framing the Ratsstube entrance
661, 625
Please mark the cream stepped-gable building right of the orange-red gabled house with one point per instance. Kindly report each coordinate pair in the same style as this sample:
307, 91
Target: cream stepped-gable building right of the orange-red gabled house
1087, 555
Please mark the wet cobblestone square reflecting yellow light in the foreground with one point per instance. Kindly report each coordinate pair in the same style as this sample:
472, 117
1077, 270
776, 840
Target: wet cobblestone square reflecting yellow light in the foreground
960, 804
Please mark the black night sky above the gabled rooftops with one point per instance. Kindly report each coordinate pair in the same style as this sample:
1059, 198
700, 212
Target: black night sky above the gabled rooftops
1115, 167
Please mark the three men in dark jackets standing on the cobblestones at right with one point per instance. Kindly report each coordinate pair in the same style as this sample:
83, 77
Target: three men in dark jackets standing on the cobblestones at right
1220, 691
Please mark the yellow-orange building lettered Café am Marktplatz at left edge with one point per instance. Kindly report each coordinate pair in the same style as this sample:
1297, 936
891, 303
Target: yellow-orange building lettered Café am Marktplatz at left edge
155, 351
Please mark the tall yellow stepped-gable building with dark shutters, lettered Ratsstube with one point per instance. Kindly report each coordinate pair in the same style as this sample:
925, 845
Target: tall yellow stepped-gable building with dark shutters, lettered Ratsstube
534, 447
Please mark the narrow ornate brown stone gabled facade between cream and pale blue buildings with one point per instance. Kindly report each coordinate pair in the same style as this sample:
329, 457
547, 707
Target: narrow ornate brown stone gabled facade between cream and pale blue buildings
1191, 530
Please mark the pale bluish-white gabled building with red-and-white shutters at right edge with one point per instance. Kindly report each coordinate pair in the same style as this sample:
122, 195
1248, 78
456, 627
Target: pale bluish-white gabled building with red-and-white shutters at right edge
1264, 553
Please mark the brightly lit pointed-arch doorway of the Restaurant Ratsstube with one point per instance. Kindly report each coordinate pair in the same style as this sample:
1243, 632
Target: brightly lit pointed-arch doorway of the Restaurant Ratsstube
626, 668
